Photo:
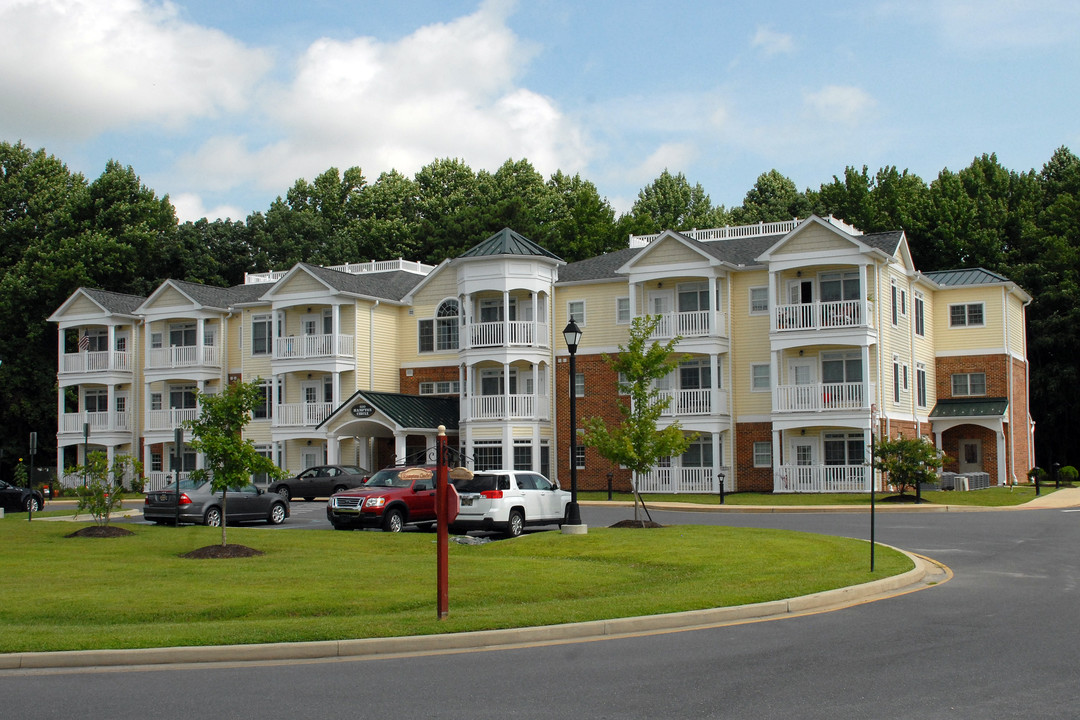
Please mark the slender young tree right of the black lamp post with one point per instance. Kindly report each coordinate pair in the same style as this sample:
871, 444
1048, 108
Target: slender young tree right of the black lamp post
637, 444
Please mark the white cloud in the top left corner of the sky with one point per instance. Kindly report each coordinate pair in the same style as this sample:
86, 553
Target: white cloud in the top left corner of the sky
77, 69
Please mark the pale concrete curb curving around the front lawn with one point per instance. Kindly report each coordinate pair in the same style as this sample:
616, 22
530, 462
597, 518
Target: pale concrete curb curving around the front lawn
480, 640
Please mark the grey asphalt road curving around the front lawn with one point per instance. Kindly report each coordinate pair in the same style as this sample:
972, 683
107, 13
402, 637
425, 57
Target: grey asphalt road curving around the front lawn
1001, 641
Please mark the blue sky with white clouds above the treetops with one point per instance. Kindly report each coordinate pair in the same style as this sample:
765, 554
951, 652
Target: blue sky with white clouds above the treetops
223, 105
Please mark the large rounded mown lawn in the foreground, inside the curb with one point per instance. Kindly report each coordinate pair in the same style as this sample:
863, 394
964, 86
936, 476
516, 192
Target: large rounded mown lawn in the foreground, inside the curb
136, 592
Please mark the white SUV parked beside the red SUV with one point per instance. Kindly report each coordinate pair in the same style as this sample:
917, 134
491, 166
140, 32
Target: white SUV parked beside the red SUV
508, 500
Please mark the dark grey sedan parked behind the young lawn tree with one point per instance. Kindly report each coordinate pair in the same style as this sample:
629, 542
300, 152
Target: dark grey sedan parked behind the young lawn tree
199, 505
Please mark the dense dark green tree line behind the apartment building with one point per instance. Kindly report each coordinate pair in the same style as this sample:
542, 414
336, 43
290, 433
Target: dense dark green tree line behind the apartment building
60, 232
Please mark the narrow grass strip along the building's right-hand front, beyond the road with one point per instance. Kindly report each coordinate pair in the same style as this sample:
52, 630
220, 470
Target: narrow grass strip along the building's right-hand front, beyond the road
997, 497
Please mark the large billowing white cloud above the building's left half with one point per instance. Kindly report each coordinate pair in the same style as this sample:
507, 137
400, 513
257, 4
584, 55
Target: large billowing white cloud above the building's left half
447, 90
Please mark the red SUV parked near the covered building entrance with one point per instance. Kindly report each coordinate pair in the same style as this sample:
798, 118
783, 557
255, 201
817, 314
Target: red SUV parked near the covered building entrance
393, 499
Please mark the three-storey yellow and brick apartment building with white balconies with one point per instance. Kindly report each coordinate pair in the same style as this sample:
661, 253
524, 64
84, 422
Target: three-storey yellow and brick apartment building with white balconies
796, 339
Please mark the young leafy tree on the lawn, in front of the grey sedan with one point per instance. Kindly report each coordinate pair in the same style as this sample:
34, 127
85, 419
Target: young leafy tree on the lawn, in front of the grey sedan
231, 459
